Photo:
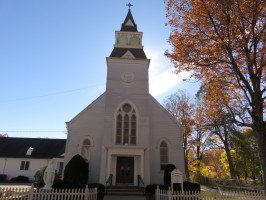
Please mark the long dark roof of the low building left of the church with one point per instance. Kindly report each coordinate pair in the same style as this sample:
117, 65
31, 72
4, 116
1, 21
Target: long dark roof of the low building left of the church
11, 147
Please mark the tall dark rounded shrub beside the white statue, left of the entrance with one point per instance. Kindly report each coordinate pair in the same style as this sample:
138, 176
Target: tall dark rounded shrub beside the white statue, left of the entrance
76, 173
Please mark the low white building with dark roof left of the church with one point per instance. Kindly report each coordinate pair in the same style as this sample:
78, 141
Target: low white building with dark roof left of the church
25, 156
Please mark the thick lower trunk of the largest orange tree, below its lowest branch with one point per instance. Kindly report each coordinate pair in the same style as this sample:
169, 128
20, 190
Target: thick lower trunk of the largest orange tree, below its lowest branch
260, 133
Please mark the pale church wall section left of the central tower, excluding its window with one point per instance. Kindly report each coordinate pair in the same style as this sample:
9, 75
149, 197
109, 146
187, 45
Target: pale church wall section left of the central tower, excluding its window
87, 124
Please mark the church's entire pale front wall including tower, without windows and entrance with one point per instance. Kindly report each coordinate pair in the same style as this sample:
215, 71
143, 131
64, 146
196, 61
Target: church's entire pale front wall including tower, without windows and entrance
154, 123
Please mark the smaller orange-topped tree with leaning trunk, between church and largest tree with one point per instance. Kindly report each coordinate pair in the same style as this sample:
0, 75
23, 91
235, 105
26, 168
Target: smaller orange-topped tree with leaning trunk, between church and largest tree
216, 116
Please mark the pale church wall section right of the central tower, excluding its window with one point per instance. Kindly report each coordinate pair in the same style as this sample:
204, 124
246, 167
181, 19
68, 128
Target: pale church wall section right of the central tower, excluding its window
165, 127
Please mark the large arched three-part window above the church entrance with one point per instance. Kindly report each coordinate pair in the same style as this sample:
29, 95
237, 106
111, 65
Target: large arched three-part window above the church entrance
126, 125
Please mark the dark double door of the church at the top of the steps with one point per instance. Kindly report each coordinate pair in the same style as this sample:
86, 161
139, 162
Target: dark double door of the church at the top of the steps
125, 170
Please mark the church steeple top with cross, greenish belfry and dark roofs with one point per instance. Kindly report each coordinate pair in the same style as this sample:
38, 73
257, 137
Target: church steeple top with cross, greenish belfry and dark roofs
128, 40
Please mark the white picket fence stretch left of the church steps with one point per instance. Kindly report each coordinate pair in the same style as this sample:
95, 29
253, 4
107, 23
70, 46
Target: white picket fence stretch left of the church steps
47, 194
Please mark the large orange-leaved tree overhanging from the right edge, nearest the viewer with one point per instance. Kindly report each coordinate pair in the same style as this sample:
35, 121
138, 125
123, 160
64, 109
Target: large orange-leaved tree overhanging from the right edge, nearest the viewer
224, 40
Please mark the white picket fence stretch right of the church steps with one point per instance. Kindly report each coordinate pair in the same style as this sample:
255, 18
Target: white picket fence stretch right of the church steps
221, 195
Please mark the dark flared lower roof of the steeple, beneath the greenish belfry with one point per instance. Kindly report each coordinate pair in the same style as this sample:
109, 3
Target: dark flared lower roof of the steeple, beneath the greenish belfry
120, 52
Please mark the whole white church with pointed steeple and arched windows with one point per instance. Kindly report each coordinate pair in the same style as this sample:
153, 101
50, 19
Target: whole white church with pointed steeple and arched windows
125, 132
